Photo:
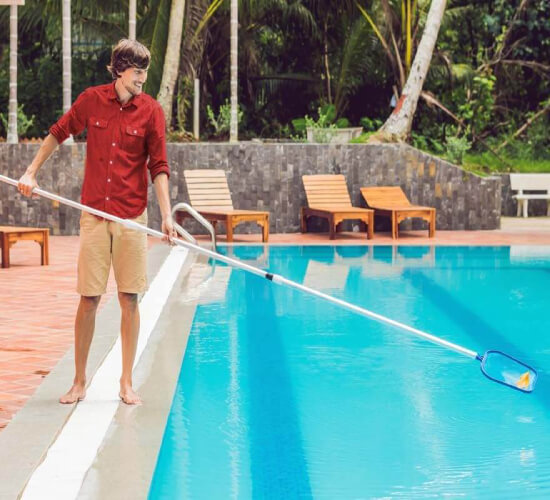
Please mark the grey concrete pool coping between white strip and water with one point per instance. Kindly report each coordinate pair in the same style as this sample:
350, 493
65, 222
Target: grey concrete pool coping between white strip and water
125, 463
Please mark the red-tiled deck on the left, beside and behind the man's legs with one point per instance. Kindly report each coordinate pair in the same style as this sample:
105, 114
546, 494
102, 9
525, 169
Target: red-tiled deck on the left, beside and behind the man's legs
37, 309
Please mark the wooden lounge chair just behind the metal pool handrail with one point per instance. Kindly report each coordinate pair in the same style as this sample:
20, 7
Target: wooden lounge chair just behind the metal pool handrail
209, 194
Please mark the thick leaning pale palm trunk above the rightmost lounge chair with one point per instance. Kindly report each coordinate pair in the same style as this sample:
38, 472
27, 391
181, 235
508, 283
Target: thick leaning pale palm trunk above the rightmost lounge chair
398, 126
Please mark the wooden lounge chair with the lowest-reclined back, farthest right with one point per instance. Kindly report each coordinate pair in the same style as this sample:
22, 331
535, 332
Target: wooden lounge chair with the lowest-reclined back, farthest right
391, 201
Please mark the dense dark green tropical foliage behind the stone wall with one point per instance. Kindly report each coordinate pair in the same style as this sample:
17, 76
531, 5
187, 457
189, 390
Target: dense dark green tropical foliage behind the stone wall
490, 67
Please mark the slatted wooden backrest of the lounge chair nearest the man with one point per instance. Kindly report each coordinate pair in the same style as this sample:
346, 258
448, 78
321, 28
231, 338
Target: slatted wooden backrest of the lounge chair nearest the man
208, 189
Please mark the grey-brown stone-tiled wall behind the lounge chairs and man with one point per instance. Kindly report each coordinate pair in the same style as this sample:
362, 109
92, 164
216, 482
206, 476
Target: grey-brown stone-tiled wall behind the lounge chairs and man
268, 177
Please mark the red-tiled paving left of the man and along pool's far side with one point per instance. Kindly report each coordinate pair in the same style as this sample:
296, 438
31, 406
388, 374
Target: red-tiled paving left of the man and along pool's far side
38, 303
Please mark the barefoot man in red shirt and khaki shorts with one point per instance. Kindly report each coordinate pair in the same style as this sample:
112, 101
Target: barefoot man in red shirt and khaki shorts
125, 141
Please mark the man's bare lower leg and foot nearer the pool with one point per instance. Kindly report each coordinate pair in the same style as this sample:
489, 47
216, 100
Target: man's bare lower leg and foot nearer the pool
129, 331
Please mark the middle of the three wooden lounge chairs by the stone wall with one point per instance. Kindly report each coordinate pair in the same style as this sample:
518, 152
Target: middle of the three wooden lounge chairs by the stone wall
328, 197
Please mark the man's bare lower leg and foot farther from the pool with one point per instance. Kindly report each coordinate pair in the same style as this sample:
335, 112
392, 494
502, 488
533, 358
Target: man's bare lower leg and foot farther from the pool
83, 334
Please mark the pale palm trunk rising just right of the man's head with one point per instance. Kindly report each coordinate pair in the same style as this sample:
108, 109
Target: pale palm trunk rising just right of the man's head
171, 59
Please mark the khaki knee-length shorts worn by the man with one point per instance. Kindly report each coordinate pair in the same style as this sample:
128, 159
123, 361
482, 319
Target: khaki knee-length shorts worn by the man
103, 241
